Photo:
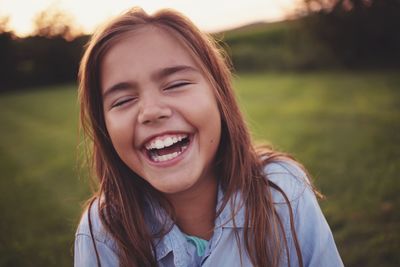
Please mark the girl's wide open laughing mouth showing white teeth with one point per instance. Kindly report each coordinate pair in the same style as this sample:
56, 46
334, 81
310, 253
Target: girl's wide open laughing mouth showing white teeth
167, 147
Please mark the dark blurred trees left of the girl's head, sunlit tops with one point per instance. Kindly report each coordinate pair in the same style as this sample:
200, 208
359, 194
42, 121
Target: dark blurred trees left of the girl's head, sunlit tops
50, 56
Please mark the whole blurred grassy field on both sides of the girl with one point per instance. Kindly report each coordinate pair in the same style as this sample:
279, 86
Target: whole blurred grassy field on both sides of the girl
345, 128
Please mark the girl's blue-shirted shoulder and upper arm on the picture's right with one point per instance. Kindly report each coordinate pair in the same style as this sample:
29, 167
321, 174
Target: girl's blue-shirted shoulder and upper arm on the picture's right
311, 228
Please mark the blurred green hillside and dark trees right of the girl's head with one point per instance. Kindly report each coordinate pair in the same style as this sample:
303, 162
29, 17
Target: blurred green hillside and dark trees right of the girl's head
324, 34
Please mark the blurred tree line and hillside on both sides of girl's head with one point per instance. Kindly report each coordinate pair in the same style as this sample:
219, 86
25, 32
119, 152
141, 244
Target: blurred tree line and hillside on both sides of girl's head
324, 34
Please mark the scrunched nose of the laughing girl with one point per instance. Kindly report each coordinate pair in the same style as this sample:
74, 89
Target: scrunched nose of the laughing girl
153, 110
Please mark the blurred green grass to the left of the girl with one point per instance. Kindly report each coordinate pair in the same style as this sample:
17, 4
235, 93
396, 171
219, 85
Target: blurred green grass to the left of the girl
40, 192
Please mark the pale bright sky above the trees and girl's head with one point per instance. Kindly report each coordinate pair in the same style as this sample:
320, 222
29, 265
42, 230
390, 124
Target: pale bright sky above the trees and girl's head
208, 15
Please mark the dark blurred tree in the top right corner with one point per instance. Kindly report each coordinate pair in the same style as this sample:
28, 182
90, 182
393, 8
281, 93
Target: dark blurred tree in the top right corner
361, 33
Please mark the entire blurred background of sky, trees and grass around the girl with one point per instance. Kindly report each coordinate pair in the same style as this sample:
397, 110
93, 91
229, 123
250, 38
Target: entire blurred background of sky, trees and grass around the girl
318, 79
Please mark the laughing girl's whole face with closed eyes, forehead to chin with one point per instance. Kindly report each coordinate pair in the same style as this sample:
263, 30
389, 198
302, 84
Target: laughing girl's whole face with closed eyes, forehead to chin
160, 110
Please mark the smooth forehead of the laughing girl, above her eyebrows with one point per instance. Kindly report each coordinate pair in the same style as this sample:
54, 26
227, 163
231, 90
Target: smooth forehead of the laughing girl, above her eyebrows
137, 54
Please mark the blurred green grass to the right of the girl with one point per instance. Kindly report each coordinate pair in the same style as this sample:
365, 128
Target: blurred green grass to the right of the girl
345, 127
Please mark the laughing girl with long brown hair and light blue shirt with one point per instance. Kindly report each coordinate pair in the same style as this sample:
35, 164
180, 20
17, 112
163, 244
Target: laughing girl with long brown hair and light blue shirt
180, 183
